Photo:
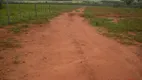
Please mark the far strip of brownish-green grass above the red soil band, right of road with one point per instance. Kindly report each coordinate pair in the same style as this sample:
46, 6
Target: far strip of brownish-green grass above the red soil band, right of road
124, 12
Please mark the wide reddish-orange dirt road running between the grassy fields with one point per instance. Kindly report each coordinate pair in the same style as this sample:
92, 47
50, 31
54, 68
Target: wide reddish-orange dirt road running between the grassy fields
68, 48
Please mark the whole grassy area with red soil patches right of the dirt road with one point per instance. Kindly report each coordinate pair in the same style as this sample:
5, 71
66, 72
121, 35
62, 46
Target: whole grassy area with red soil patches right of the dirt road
130, 21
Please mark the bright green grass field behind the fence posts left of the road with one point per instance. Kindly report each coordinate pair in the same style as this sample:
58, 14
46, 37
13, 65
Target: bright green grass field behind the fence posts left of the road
26, 12
